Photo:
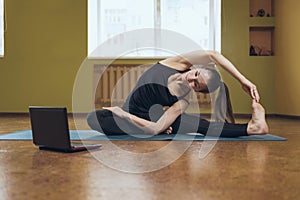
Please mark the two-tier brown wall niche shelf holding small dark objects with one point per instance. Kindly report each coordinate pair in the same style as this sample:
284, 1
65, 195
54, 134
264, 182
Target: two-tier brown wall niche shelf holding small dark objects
261, 27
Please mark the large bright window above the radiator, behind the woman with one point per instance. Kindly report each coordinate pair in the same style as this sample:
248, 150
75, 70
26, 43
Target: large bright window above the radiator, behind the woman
110, 20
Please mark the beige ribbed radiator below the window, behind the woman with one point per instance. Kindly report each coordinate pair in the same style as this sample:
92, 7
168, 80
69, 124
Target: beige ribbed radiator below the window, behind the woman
113, 83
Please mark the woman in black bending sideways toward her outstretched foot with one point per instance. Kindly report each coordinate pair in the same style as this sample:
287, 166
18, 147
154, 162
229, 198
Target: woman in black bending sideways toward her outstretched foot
166, 84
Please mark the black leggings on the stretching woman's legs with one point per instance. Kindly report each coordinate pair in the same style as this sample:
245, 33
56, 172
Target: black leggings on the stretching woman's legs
104, 121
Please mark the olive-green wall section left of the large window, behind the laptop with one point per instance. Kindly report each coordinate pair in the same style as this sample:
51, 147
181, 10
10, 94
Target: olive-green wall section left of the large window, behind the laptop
45, 43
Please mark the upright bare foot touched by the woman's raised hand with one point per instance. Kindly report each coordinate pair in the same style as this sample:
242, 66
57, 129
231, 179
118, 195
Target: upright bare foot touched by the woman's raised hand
258, 124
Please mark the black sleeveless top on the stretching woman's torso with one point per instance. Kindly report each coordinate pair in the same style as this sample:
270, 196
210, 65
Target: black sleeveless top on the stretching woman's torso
151, 93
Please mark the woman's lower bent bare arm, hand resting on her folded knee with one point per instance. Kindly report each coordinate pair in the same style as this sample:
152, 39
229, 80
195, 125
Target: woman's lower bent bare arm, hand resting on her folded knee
161, 125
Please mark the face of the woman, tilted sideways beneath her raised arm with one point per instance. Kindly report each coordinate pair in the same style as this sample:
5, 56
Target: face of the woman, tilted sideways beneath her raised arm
197, 79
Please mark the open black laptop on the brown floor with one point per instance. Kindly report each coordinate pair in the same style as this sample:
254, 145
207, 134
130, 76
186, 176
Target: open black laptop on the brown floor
50, 130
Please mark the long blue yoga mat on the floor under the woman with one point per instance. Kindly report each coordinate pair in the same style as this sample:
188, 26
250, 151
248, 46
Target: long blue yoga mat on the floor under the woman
94, 135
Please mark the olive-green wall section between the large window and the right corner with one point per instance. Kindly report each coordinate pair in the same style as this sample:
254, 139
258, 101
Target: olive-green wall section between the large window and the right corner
235, 46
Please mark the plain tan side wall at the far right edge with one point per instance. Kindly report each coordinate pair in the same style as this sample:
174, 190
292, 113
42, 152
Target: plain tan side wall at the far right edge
287, 63
